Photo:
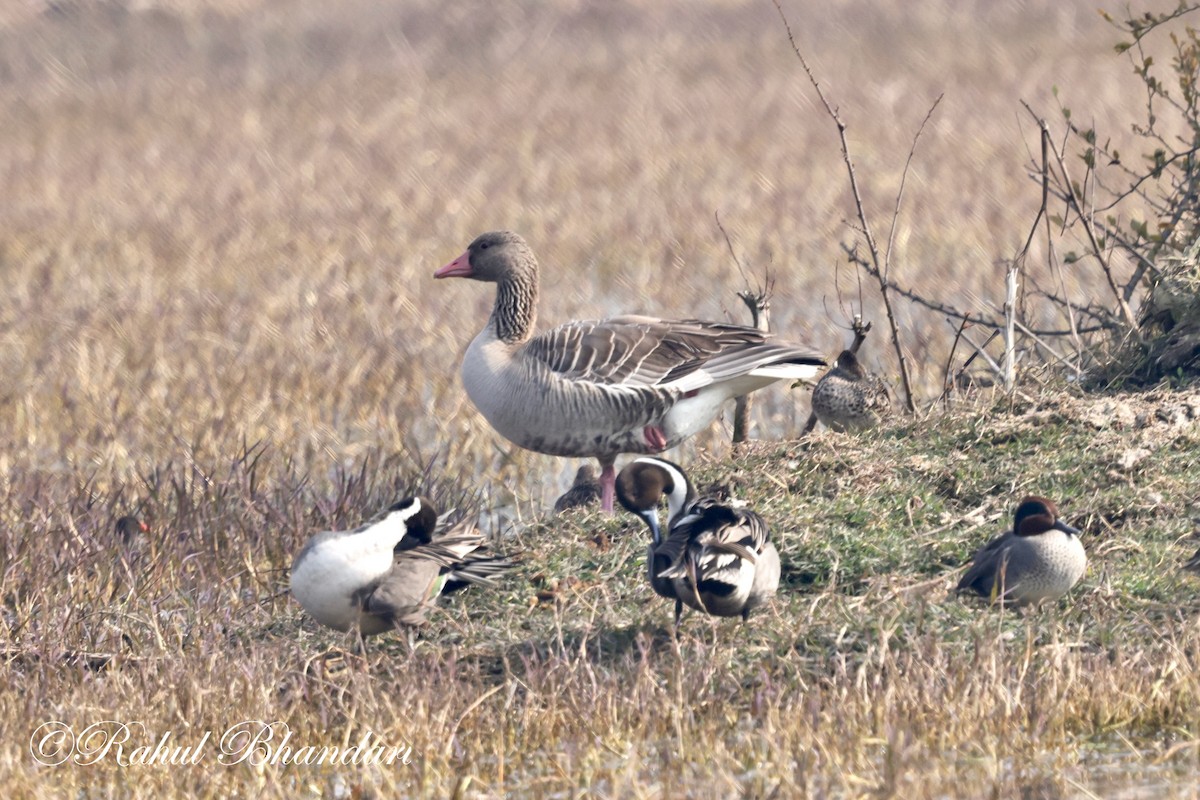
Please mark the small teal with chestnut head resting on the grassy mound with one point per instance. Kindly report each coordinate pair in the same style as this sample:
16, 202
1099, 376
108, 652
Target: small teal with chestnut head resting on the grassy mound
1041, 560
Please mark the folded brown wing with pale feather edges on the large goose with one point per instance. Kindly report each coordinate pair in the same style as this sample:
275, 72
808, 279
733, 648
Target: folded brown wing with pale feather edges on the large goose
647, 352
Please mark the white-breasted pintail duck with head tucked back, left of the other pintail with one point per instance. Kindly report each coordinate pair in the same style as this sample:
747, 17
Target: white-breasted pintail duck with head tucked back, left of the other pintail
389, 573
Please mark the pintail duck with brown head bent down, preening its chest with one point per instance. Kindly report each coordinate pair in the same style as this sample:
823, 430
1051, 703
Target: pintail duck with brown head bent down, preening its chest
716, 556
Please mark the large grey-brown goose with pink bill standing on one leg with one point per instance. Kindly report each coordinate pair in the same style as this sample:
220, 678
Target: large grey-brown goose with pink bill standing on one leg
598, 389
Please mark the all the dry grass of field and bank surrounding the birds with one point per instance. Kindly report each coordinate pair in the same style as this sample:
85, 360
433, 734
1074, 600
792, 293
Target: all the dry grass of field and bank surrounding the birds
218, 239
